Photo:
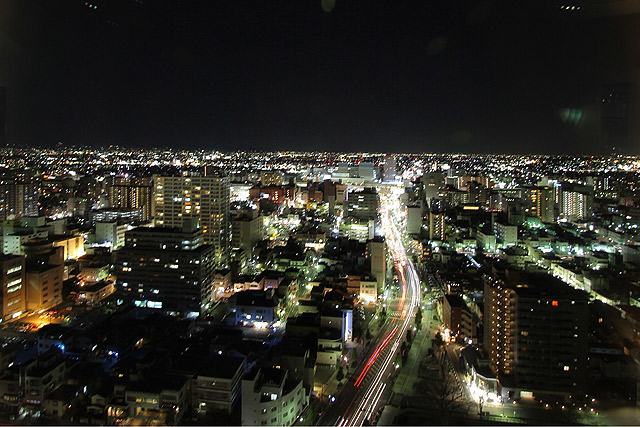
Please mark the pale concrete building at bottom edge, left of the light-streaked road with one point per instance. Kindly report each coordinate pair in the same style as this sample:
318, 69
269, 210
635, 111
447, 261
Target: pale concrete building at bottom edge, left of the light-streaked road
270, 398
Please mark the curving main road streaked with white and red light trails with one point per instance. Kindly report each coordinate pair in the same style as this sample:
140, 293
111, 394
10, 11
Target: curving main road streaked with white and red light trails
366, 391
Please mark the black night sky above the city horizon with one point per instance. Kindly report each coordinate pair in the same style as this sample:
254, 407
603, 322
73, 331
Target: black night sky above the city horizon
414, 76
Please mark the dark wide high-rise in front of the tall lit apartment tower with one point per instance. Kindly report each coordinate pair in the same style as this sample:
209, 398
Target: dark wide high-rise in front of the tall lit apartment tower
166, 268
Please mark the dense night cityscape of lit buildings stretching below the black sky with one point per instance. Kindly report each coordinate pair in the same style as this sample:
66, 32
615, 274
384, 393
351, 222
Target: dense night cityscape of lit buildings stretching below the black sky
168, 287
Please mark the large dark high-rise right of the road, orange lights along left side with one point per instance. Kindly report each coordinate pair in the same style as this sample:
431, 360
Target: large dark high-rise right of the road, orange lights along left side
535, 333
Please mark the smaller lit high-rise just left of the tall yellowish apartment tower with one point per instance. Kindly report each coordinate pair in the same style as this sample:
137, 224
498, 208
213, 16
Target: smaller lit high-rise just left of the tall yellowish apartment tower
133, 194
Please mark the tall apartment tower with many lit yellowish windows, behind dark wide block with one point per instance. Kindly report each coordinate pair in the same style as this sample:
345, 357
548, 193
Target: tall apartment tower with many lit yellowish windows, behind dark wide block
204, 198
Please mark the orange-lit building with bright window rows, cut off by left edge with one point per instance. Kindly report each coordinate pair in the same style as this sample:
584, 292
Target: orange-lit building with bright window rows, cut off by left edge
14, 286
